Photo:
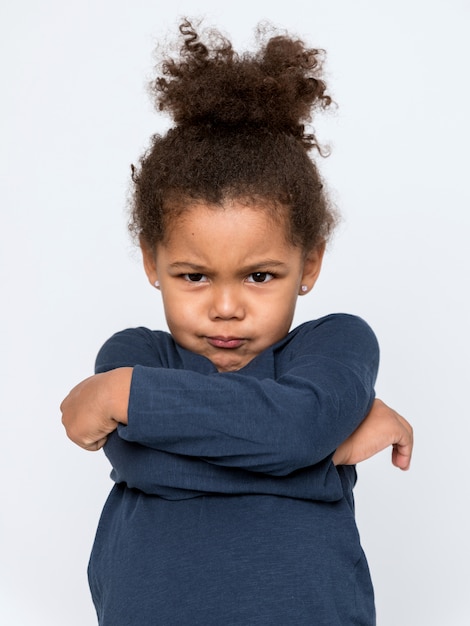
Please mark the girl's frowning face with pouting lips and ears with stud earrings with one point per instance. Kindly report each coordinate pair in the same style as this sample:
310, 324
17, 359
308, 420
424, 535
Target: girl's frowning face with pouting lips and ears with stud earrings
229, 281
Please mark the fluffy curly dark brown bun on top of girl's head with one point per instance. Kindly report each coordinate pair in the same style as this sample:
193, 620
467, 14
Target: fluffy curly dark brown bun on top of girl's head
210, 85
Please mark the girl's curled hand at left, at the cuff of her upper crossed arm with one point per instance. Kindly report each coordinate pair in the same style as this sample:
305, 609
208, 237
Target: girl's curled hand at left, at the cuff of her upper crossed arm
95, 406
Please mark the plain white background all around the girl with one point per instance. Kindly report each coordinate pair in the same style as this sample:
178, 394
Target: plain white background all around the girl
75, 114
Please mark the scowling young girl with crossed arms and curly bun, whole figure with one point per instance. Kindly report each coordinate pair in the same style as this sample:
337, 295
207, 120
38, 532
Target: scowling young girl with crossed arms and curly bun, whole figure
232, 439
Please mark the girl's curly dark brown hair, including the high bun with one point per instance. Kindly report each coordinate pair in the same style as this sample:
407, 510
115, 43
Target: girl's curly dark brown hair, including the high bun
239, 134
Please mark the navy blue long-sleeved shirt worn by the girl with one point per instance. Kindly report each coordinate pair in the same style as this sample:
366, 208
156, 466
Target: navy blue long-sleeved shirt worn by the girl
227, 507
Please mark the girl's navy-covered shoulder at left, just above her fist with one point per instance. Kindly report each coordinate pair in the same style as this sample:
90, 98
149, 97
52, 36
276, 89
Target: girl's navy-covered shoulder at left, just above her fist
136, 346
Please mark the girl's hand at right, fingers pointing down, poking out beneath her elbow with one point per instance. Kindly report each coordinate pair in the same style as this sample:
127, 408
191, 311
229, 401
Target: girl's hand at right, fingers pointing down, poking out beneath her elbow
382, 427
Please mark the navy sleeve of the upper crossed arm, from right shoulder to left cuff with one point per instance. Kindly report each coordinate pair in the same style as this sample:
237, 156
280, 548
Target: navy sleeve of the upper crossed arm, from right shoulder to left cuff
321, 388
